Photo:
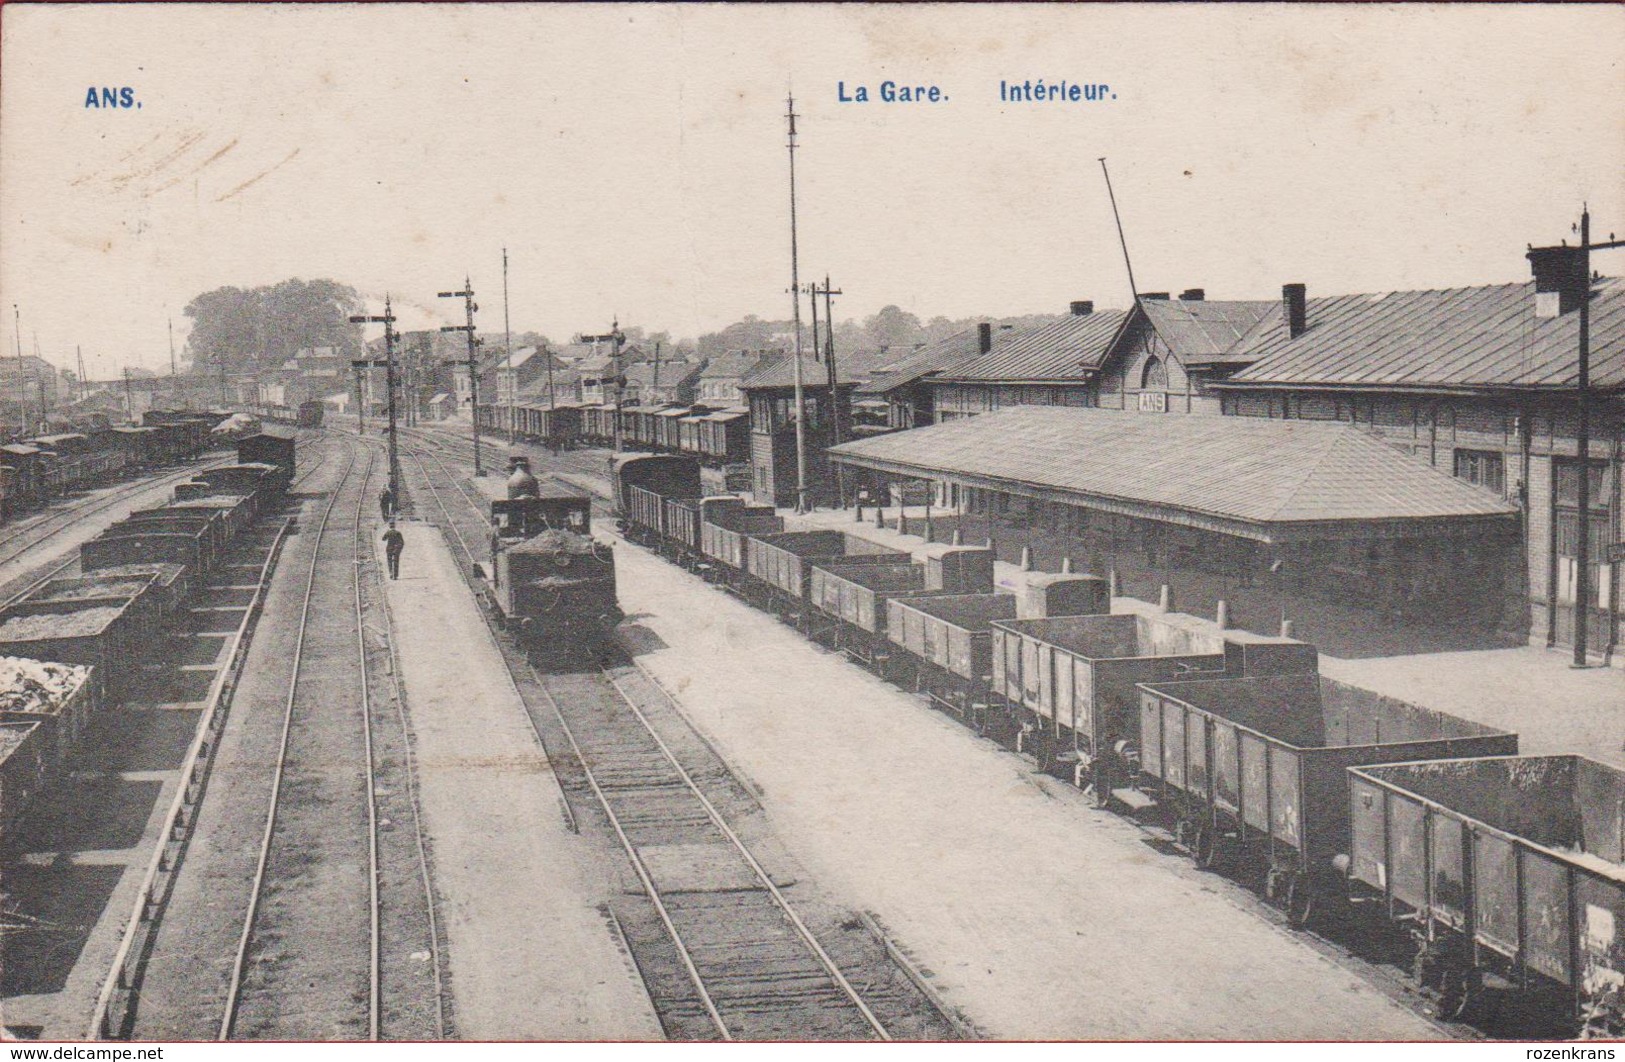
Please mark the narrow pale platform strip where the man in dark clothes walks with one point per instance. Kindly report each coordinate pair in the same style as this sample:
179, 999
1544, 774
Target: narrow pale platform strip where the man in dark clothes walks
529, 952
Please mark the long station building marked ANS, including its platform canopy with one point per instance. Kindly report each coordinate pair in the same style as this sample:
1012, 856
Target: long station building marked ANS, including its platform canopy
1475, 387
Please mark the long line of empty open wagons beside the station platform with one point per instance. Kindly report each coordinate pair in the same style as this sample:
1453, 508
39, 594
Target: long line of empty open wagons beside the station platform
1345, 808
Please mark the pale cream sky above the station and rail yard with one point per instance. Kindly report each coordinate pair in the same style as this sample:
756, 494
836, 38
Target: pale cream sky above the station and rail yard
633, 158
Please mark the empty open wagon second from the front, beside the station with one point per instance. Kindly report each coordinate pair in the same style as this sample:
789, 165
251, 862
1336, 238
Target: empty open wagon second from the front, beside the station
1254, 772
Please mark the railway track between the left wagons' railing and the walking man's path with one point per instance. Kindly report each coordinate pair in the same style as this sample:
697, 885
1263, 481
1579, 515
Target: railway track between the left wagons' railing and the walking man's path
340, 912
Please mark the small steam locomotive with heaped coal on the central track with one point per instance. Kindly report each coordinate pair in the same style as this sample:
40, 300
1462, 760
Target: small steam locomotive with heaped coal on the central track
548, 579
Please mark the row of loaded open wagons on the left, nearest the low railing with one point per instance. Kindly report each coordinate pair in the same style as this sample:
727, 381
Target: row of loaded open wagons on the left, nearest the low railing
74, 644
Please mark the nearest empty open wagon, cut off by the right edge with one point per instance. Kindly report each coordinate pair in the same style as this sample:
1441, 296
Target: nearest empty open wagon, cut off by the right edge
1507, 870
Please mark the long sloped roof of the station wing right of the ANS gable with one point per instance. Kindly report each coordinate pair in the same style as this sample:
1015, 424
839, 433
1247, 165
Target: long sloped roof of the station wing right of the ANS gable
1458, 337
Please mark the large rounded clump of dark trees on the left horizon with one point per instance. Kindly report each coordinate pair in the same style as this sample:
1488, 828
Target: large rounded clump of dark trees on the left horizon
262, 327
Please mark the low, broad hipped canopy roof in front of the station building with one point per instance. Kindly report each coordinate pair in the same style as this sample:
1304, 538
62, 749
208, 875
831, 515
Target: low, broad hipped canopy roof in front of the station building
1273, 481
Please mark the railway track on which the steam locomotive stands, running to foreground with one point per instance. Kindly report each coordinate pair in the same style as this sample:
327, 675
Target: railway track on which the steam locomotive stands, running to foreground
727, 956
